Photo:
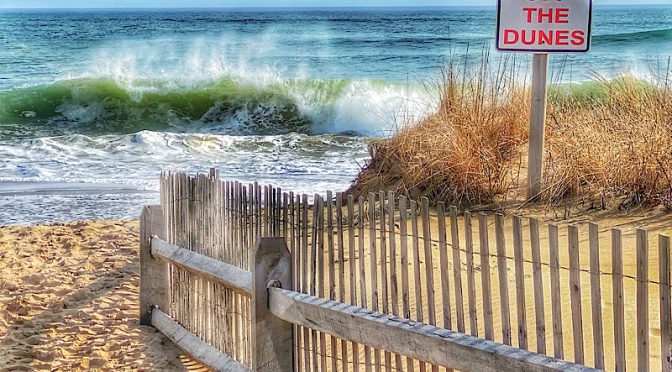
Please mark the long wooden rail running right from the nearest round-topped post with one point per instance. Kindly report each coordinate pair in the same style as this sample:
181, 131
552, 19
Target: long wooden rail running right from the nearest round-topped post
403, 336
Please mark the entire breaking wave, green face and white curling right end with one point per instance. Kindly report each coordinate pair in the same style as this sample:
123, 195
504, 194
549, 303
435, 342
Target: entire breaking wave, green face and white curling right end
226, 106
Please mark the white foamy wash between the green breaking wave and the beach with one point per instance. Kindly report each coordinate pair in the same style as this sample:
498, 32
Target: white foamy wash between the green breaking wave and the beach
137, 159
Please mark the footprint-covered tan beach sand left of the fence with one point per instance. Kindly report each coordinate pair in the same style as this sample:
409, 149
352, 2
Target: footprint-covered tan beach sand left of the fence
69, 301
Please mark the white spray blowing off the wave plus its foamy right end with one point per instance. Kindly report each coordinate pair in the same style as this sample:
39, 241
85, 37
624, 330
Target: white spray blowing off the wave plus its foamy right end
362, 106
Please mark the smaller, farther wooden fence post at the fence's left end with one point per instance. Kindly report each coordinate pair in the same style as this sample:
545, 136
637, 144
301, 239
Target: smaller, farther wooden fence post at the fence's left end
154, 273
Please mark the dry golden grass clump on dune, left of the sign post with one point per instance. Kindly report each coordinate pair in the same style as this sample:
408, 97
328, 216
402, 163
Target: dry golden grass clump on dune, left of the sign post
460, 153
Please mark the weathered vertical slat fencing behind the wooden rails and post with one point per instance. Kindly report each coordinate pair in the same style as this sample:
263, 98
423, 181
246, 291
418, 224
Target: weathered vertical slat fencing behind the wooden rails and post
511, 282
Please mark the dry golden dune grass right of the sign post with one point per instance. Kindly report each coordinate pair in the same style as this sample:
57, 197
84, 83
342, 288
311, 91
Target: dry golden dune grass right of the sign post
614, 147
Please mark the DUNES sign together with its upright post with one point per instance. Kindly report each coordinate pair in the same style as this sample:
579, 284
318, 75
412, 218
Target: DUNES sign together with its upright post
542, 27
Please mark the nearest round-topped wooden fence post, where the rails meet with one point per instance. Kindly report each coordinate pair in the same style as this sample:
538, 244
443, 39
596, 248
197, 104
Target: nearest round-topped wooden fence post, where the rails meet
272, 338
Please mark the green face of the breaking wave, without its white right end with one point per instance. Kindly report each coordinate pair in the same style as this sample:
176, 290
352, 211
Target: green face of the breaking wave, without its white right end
103, 106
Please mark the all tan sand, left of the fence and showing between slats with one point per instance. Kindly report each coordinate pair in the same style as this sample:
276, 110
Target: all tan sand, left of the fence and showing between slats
69, 294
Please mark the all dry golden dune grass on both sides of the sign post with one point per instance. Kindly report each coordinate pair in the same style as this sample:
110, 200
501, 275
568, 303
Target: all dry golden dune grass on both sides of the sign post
607, 140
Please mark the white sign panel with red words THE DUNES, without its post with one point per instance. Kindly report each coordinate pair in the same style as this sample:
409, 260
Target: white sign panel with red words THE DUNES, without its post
544, 26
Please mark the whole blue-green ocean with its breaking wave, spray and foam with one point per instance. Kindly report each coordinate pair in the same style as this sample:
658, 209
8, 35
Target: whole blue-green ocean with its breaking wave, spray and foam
95, 104
